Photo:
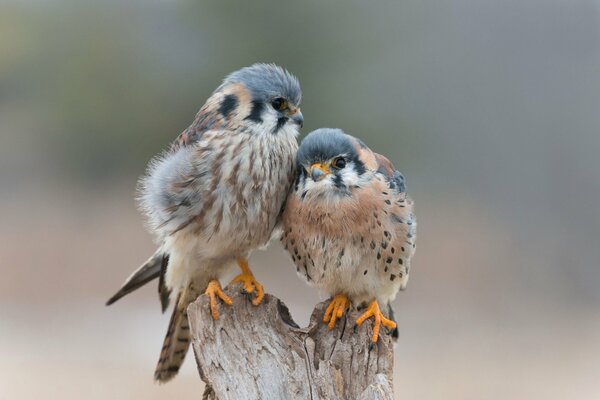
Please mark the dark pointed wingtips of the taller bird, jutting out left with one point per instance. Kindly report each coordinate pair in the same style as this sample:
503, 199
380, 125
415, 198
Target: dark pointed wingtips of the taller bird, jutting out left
154, 267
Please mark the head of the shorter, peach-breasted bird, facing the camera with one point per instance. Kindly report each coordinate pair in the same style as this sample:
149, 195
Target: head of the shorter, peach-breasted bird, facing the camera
329, 164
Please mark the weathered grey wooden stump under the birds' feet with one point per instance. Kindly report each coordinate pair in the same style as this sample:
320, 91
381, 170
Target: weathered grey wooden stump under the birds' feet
260, 353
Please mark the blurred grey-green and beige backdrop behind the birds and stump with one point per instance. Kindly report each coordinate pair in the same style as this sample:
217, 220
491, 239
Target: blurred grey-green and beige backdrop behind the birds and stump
491, 109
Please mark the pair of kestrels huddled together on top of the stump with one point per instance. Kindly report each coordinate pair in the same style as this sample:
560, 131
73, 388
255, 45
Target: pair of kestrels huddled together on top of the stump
236, 176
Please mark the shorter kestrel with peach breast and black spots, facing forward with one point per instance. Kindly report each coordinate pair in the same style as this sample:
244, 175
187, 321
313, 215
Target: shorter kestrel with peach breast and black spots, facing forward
349, 227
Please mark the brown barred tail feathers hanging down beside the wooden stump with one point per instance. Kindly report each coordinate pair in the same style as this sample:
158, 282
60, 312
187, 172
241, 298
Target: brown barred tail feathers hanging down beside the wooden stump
177, 340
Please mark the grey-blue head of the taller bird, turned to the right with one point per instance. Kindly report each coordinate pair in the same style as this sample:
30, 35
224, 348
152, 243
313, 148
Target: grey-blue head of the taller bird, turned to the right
264, 96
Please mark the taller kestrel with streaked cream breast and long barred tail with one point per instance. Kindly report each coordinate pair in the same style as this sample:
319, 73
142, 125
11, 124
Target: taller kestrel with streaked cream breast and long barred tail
216, 194
